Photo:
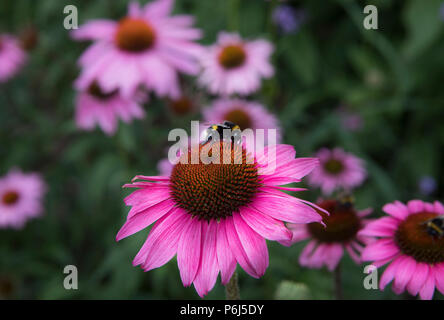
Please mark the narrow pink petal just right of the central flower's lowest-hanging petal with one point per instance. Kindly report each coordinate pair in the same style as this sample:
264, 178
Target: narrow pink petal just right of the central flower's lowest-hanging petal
225, 258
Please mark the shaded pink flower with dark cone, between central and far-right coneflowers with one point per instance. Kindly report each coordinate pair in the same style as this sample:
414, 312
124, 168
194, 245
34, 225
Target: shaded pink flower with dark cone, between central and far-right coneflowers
328, 241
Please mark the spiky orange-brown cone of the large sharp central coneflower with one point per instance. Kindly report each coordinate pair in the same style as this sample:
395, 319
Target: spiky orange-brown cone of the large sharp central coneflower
215, 190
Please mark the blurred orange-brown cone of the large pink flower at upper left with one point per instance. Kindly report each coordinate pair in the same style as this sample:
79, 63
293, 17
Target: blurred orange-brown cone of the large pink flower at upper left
135, 35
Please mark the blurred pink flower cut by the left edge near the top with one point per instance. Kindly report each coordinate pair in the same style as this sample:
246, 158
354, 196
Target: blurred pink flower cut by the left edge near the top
12, 57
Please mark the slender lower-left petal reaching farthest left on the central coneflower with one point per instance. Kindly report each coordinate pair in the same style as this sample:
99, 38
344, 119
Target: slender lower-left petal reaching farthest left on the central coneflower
144, 218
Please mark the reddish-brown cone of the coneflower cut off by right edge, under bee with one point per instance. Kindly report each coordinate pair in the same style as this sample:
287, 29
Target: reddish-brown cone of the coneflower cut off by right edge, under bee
415, 240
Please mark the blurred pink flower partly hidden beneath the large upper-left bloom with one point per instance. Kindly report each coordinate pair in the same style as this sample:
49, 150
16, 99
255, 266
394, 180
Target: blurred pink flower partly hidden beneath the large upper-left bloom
94, 106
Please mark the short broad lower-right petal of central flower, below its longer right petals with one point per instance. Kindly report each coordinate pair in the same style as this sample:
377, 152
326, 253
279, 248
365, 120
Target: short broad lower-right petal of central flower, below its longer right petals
265, 225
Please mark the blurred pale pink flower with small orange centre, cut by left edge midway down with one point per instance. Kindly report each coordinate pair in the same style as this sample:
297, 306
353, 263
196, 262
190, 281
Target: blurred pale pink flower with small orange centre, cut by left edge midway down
20, 198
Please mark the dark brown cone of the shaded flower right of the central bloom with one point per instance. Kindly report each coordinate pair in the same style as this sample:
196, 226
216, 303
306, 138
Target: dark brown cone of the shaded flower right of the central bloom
342, 224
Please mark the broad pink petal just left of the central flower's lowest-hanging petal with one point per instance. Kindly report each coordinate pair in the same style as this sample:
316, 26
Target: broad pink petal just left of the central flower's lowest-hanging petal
189, 250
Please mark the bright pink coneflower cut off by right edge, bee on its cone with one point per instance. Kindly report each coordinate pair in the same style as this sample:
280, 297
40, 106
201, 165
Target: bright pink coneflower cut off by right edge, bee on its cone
411, 241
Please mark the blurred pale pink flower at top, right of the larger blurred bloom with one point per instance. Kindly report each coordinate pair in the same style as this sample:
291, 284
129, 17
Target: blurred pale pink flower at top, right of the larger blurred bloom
234, 65
